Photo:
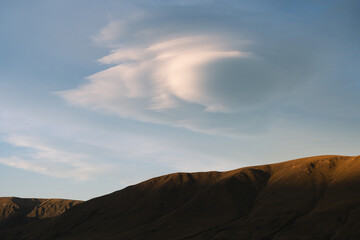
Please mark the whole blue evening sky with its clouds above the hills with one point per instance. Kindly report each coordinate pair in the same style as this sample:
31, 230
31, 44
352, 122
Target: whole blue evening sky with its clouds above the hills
99, 95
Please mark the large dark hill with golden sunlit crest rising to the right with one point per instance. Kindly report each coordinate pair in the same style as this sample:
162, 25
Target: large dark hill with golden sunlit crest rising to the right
309, 198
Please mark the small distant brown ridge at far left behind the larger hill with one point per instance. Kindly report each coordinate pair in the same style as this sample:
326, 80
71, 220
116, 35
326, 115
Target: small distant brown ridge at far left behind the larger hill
18, 211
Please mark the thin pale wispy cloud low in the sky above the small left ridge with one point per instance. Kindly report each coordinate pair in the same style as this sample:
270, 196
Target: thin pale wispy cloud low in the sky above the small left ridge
45, 159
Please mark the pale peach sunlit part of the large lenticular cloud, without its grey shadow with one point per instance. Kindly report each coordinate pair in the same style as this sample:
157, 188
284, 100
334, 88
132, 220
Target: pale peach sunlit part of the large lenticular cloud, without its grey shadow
149, 83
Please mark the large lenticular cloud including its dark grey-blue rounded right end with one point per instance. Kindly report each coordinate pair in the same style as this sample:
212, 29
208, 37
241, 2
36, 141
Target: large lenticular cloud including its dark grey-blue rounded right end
178, 82
